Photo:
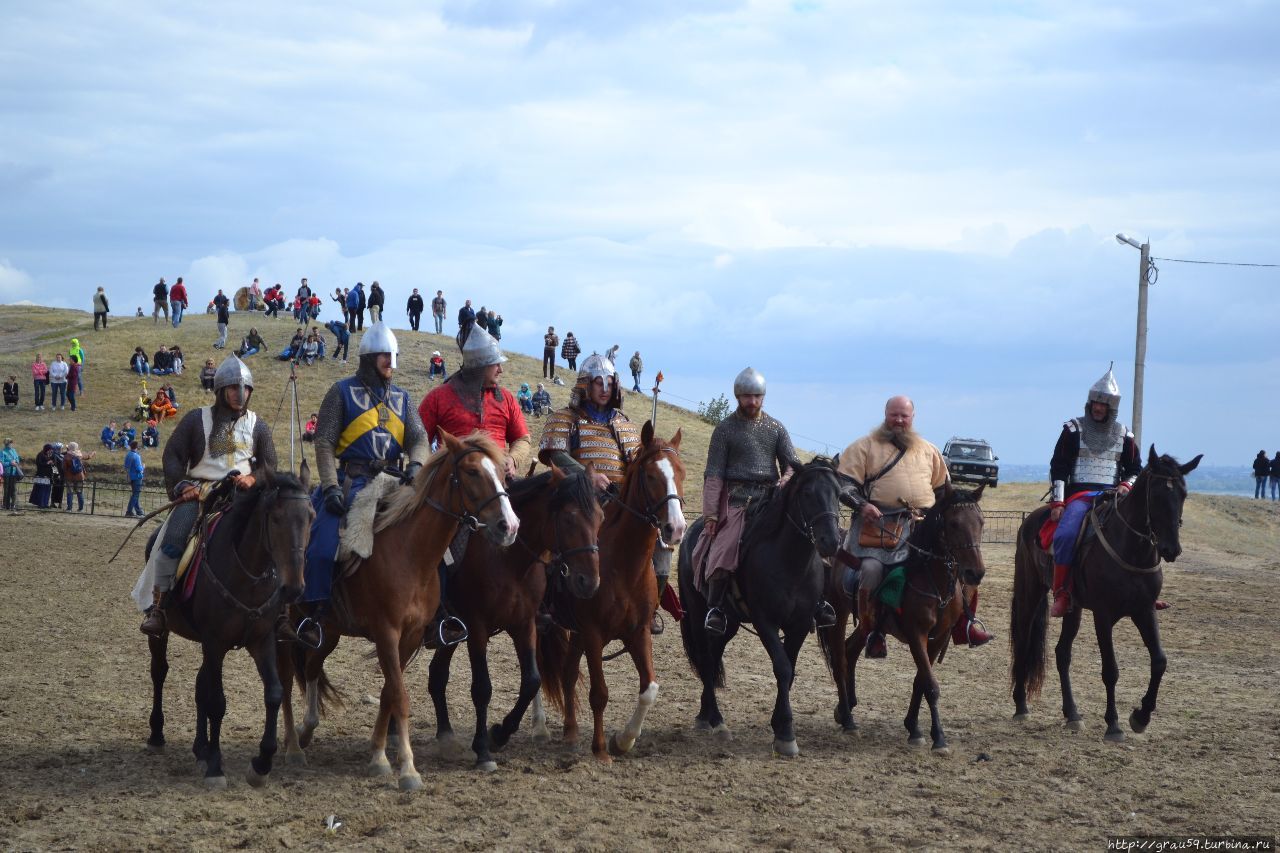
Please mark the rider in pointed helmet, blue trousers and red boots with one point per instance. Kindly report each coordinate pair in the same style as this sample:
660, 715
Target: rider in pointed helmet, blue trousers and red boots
1094, 454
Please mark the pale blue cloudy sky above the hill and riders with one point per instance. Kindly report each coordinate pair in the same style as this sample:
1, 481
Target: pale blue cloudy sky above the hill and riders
858, 199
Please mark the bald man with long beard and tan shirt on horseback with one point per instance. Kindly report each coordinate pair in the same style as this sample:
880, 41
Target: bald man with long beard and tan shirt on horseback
895, 466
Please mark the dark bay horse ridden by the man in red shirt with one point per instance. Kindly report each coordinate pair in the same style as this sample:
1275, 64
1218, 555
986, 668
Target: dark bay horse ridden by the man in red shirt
501, 590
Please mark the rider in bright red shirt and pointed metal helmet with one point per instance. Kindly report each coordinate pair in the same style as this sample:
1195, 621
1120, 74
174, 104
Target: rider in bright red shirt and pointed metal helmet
469, 402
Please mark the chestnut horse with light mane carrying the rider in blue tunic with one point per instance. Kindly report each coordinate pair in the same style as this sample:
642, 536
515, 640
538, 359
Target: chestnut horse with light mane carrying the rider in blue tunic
396, 592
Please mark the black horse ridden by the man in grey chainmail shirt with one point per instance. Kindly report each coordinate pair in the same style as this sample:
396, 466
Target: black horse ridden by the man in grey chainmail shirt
780, 578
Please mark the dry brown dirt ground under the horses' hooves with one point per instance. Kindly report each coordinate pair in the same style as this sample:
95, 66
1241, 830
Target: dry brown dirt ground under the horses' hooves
75, 697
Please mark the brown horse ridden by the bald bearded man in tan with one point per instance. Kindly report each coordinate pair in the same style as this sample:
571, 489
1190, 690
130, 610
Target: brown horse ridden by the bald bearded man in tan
945, 558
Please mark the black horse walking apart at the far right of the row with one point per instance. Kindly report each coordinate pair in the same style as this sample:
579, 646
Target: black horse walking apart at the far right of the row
1116, 577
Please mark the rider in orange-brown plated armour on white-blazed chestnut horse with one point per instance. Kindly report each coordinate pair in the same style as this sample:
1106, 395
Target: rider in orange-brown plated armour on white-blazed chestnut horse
593, 430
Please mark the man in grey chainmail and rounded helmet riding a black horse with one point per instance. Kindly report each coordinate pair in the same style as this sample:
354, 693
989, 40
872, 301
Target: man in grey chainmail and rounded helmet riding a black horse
749, 451
